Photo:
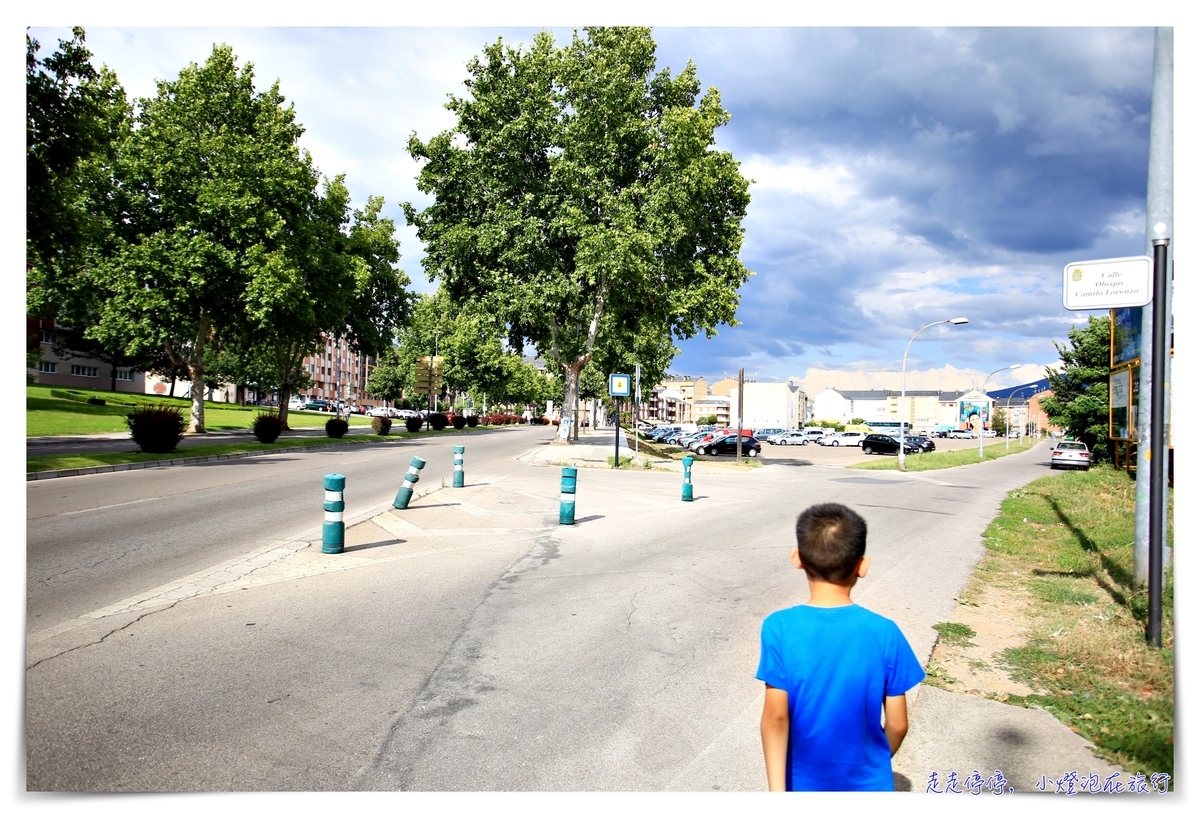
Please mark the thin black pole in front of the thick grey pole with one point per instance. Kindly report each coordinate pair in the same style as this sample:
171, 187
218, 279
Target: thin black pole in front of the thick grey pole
1157, 448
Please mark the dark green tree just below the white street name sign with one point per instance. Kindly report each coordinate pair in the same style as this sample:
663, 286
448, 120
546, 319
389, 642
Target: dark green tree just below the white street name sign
1081, 399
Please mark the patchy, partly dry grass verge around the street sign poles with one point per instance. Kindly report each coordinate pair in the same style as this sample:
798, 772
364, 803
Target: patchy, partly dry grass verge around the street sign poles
1064, 548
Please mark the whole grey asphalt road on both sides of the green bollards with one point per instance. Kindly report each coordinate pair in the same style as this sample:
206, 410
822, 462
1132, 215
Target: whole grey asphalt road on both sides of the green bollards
487, 649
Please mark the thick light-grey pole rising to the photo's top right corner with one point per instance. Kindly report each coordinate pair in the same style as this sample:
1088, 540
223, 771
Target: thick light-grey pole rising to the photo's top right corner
1160, 225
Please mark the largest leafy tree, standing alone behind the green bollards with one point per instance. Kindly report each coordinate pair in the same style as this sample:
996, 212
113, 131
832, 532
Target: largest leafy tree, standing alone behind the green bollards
580, 196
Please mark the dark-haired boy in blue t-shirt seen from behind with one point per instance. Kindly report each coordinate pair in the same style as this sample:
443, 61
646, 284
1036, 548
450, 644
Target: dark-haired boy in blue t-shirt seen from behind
830, 666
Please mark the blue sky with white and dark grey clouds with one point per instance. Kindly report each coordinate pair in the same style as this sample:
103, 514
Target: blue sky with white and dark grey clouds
903, 176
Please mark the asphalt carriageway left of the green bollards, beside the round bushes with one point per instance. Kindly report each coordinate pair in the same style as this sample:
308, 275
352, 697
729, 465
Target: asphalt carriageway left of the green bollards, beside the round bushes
97, 539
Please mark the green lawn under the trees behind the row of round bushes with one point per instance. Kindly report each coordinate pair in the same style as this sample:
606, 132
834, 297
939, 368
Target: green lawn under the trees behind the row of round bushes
49, 414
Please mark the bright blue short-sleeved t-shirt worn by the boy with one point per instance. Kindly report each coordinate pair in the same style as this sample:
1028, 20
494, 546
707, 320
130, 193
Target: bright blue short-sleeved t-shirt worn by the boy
837, 666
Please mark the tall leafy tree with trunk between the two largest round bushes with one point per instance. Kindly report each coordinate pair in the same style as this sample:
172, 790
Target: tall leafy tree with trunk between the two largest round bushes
214, 189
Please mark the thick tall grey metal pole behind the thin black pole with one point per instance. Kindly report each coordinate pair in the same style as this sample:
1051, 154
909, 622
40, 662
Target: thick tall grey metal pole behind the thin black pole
1160, 227
